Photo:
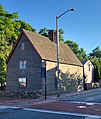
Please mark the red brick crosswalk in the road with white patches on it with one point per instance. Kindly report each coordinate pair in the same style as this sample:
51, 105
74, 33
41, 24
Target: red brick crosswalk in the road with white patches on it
69, 107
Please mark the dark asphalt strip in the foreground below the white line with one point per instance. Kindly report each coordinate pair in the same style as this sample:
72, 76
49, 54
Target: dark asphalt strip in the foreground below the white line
26, 114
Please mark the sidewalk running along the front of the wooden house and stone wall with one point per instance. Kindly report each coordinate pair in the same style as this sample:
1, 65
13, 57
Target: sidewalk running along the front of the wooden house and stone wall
26, 102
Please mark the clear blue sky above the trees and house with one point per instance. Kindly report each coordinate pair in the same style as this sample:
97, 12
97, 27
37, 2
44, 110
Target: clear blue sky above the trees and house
82, 26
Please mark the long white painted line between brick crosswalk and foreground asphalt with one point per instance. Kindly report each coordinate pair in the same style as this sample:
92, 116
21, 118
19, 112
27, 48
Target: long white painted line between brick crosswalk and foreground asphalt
64, 113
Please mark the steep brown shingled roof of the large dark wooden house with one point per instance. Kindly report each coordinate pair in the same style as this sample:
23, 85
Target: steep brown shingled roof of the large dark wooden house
47, 49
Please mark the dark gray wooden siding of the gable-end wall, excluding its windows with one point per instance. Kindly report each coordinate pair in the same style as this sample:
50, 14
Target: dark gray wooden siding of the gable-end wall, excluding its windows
32, 71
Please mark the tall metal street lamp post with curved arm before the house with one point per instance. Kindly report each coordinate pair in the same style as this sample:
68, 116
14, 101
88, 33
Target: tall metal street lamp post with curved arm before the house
57, 48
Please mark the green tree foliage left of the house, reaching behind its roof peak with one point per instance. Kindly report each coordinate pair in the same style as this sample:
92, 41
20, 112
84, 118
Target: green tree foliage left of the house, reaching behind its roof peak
9, 31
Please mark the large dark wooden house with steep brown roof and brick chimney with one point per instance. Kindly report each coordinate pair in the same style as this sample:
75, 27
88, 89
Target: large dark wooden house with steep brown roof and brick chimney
33, 60
